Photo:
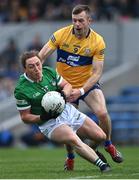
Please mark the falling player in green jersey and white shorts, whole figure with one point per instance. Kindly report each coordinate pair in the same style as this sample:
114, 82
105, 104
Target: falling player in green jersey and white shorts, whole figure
29, 91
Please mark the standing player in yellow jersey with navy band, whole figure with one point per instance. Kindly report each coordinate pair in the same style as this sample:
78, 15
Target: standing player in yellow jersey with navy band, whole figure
80, 60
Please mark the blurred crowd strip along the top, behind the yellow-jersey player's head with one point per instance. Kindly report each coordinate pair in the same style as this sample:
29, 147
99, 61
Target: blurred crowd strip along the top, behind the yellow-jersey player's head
34, 10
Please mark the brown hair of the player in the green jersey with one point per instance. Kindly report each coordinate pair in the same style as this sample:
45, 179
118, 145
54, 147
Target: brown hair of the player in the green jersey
26, 55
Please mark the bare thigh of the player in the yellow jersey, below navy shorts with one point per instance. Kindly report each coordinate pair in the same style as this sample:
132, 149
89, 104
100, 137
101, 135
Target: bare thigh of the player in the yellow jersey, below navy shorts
96, 101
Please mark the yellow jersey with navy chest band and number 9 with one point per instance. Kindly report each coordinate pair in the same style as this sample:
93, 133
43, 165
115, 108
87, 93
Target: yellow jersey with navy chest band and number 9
75, 56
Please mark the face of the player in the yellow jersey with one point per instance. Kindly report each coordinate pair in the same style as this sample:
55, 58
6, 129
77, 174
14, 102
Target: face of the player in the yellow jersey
81, 23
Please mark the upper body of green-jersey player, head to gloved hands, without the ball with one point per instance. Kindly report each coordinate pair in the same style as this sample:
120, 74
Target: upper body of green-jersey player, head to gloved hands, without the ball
33, 84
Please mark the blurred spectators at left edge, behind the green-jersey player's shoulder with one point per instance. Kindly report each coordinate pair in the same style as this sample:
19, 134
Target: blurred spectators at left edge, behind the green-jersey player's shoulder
9, 70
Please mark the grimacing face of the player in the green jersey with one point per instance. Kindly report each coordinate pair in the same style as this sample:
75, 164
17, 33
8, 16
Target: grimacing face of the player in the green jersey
34, 69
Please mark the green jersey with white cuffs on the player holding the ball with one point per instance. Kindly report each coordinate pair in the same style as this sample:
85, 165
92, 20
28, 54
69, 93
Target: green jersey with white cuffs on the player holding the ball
29, 94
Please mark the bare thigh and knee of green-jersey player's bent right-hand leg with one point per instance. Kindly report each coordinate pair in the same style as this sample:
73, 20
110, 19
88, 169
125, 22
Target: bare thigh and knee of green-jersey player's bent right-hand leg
91, 130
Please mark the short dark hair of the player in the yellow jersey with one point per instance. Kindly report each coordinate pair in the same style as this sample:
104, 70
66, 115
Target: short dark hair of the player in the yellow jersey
81, 7
